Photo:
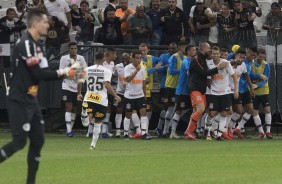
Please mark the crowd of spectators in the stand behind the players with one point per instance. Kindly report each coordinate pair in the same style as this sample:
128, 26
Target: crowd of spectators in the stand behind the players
221, 23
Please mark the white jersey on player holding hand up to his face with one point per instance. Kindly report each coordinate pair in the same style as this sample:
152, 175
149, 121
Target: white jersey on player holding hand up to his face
134, 88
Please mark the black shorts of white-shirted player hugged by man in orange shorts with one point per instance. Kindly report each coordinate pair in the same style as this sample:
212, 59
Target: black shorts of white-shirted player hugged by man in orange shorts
219, 103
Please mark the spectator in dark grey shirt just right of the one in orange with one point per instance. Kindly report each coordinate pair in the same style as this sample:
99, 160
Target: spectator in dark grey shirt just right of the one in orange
140, 25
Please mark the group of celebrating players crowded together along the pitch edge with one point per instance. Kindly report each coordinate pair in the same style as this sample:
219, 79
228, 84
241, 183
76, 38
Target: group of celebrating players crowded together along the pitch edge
217, 85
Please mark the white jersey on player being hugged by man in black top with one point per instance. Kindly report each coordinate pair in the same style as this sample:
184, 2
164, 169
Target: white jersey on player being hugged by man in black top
220, 81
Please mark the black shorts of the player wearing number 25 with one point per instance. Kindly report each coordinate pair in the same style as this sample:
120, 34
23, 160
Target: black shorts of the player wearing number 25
98, 111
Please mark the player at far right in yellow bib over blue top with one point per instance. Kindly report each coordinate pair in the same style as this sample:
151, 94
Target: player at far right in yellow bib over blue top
260, 66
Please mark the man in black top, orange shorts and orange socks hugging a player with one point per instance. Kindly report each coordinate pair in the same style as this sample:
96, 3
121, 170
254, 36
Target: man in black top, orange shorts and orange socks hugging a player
197, 84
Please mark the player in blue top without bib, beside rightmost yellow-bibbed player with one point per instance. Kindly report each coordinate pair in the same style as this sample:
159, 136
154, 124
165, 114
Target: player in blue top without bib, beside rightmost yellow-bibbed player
245, 97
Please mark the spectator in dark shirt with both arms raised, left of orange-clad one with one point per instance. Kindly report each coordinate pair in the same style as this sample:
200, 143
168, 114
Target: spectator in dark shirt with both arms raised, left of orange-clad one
111, 27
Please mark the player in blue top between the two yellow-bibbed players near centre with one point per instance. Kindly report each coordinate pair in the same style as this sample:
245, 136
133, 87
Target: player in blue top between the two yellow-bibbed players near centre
172, 49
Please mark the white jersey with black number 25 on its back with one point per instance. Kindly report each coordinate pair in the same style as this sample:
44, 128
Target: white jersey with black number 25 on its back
96, 92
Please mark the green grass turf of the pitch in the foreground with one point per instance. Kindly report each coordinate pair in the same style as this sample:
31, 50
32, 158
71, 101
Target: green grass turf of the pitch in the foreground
68, 160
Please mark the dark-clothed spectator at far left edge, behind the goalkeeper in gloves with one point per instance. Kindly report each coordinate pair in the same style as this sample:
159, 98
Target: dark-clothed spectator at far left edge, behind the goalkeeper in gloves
10, 32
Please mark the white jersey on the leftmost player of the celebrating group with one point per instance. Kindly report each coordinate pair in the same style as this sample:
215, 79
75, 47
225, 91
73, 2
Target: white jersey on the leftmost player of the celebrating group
70, 84
